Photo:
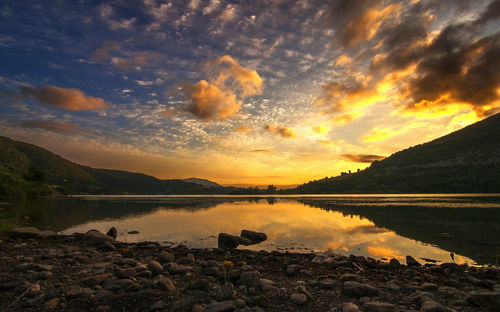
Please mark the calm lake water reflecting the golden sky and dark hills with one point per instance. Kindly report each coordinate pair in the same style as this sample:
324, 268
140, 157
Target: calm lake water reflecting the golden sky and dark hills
378, 226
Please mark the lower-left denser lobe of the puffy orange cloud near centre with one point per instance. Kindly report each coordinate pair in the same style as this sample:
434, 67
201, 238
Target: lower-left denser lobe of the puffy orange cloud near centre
208, 102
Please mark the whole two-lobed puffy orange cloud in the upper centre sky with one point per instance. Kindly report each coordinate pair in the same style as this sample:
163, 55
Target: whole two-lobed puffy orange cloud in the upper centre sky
223, 94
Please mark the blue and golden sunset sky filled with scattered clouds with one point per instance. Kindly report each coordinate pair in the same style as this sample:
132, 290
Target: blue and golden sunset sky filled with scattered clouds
244, 92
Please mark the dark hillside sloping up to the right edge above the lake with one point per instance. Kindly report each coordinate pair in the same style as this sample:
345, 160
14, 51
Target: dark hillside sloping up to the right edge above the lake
465, 161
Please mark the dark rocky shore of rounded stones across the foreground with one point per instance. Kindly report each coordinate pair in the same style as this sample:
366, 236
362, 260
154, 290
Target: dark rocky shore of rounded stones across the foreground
41, 271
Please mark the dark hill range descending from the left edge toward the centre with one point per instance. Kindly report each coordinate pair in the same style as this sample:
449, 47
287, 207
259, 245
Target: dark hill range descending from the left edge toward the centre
17, 159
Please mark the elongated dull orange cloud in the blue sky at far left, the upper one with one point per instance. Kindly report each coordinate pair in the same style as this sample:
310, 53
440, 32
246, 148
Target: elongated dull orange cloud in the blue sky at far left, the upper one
69, 99
